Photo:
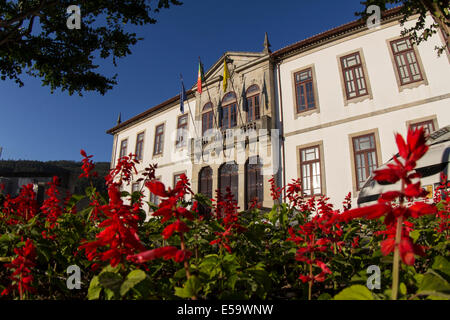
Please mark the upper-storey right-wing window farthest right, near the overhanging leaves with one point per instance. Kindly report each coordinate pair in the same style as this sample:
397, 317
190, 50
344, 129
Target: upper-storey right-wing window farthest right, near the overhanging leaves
405, 58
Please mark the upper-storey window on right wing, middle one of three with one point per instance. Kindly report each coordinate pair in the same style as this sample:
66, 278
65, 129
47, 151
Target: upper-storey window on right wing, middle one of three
353, 73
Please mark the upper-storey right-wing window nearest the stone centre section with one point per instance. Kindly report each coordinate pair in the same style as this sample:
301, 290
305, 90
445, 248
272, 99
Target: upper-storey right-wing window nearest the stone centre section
304, 90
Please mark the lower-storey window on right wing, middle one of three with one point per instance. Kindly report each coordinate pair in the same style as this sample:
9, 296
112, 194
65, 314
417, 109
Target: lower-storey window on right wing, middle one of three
365, 153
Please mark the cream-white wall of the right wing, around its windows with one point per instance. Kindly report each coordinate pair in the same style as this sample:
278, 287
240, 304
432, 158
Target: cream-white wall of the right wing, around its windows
335, 137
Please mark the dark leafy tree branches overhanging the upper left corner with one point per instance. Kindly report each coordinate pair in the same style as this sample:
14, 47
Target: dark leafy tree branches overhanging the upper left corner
35, 39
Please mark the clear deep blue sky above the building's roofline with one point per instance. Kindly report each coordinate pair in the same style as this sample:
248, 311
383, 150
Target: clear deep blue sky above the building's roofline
38, 125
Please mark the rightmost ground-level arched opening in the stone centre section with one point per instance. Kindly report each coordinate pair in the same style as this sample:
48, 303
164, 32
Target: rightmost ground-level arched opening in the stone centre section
254, 184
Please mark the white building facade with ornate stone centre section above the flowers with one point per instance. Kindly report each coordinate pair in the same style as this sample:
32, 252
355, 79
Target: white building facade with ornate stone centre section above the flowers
323, 110
